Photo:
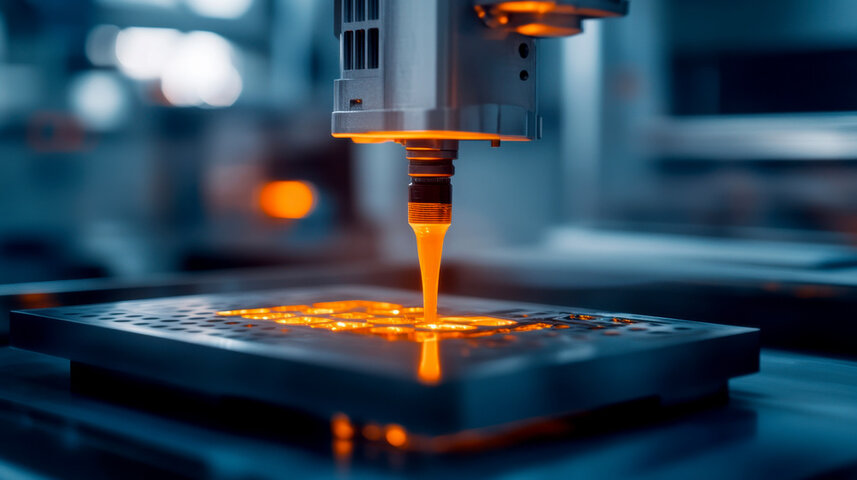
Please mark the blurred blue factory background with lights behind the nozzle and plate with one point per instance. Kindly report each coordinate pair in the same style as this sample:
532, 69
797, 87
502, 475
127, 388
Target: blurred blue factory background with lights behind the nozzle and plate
688, 145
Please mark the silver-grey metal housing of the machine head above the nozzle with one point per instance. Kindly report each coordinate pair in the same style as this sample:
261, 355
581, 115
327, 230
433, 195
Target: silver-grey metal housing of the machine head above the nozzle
440, 71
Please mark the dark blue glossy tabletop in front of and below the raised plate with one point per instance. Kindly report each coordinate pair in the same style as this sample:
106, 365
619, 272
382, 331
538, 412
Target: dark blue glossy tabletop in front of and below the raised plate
794, 419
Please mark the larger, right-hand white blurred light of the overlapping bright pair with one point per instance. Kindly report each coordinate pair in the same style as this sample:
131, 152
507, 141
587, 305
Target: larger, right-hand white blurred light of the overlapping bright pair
200, 71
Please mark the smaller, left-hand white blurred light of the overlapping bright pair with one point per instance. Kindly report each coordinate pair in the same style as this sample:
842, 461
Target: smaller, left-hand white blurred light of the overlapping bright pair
143, 52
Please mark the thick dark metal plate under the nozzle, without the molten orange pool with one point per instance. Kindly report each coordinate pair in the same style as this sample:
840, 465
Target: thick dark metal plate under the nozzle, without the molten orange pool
553, 364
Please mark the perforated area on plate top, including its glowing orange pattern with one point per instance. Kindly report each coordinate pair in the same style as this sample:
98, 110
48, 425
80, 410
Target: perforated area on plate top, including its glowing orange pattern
182, 316
